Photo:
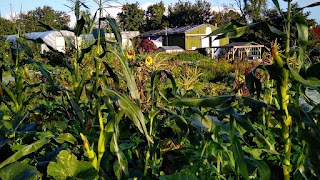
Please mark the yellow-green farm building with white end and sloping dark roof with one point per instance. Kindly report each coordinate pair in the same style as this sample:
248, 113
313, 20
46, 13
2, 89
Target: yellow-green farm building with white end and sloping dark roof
189, 37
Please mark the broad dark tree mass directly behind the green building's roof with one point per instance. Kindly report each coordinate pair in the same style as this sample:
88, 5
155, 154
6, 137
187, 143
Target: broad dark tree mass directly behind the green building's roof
185, 13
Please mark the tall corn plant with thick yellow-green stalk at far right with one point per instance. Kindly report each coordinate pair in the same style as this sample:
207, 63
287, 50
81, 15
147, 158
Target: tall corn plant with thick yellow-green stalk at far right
284, 69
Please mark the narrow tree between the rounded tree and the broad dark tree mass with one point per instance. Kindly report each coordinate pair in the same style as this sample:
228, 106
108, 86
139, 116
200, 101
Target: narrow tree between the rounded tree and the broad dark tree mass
155, 18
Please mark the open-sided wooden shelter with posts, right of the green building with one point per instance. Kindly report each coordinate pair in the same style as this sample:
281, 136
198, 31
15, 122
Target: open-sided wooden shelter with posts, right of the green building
250, 50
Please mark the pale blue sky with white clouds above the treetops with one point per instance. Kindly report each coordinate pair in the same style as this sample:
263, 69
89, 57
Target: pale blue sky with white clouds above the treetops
8, 7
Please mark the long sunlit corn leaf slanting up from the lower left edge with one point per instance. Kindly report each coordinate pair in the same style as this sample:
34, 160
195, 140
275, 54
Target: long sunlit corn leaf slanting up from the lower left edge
23, 152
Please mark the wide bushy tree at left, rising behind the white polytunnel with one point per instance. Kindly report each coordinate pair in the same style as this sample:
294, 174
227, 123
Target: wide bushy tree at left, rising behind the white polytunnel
57, 19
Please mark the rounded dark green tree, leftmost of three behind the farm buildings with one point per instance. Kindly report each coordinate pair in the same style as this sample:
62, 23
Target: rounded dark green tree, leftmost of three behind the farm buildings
132, 17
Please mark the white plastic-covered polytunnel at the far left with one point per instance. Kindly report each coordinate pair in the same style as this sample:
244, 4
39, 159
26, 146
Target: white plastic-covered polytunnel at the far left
54, 39
